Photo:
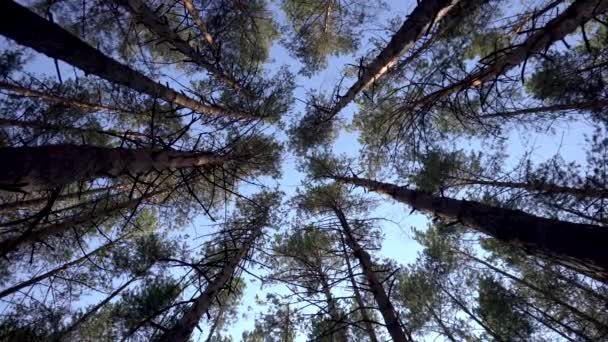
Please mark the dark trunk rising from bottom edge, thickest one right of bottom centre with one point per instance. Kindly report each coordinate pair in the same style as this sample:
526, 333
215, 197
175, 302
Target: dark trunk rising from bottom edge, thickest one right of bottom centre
394, 327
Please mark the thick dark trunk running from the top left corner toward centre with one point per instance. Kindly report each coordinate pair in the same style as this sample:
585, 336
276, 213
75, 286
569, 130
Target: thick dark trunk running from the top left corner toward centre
28, 29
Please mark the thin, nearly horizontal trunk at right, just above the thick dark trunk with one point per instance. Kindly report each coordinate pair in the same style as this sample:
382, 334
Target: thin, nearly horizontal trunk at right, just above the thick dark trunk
541, 186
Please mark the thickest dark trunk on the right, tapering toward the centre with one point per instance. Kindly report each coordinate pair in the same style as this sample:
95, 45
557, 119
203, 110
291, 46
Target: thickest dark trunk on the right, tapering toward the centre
581, 247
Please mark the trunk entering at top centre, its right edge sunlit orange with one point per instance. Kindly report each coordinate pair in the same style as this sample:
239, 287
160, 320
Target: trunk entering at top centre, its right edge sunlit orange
414, 27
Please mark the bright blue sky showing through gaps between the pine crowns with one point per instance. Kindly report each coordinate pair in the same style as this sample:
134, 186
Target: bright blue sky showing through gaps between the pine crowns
568, 140
